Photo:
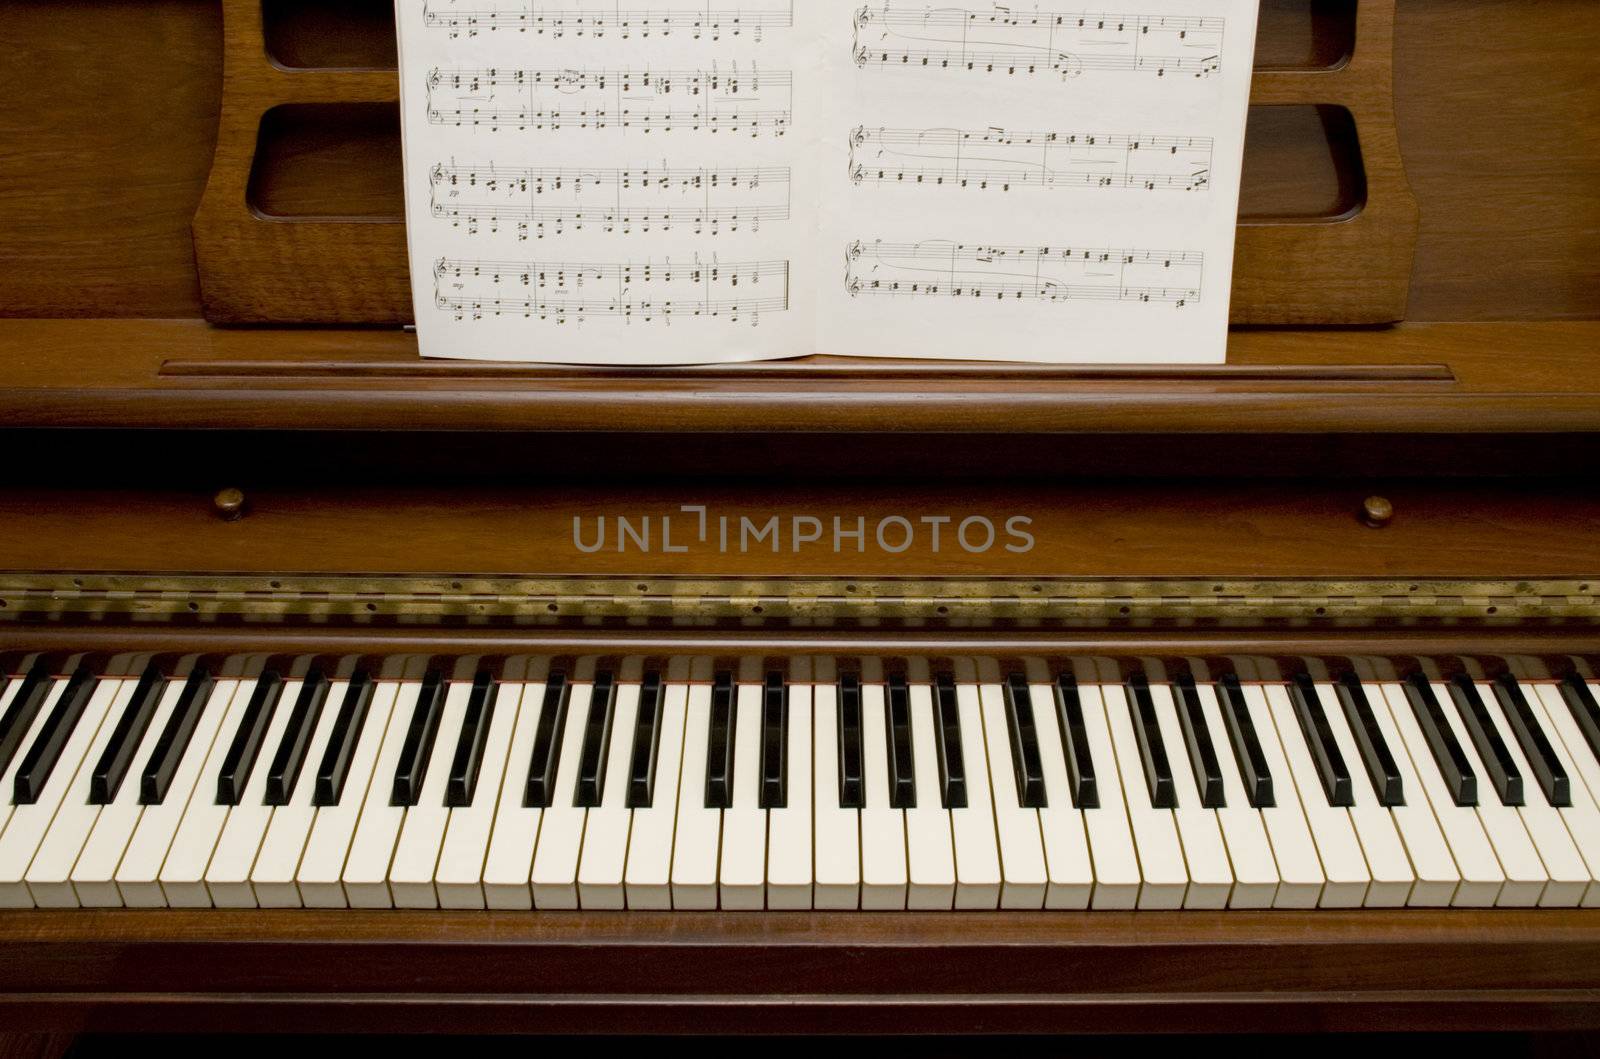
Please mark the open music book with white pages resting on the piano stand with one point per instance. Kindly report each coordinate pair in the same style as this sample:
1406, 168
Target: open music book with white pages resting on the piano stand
700, 182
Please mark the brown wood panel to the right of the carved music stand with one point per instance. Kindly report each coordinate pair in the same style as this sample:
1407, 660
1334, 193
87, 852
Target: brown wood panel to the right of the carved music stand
1500, 118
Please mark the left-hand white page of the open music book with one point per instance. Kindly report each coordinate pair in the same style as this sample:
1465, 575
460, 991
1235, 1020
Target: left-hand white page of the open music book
610, 182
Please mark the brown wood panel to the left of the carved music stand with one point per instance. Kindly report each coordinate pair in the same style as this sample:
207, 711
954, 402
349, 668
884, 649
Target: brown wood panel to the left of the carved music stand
105, 146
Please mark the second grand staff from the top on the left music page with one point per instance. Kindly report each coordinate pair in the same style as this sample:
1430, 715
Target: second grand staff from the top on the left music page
650, 102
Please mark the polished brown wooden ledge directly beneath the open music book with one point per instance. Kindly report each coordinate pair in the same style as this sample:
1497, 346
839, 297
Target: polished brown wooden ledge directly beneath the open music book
1457, 380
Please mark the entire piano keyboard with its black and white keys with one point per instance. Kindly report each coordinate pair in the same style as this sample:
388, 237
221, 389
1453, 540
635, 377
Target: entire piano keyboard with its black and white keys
863, 785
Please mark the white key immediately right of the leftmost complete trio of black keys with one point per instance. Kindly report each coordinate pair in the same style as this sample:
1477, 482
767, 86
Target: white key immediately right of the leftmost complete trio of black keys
334, 833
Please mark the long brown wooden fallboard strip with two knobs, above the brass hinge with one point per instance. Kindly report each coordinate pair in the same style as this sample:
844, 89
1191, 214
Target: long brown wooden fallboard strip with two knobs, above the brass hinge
1250, 530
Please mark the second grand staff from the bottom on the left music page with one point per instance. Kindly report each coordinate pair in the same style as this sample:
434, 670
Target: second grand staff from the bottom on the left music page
556, 201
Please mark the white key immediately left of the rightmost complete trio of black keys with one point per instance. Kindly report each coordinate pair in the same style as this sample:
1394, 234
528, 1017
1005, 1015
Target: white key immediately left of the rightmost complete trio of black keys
1460, 829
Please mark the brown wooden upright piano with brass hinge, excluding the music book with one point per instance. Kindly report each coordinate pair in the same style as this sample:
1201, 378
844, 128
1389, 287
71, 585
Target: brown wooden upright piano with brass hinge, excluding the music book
346, 692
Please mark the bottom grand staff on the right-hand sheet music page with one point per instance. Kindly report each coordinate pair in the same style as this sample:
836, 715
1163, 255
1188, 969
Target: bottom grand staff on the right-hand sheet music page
1050, 274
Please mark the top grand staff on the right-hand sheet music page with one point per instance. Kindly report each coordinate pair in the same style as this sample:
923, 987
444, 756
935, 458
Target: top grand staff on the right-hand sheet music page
1007, 39
